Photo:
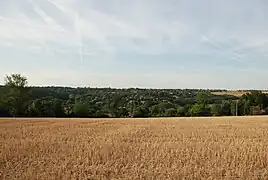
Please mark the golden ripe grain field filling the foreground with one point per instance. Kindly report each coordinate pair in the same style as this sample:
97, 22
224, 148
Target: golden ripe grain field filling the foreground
171, 148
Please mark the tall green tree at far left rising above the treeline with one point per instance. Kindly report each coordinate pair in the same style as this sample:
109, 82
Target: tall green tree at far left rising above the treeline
17, 98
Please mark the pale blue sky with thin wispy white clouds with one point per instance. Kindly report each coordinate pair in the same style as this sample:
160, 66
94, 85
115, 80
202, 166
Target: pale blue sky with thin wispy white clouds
136, 43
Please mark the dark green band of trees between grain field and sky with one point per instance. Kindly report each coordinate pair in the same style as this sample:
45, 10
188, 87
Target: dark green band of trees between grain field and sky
18, 99
